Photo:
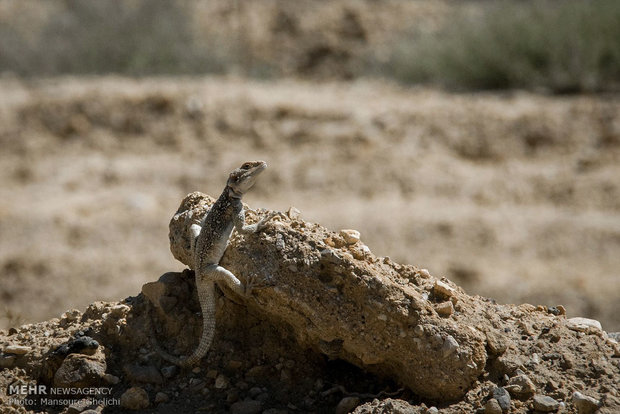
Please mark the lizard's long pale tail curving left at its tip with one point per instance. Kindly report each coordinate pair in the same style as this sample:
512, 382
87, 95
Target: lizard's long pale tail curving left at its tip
206, 297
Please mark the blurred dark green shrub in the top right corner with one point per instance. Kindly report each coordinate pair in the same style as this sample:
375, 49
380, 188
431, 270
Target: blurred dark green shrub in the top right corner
562, 46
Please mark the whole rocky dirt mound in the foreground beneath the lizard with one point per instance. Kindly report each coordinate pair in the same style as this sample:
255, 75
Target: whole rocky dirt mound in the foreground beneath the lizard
339, 327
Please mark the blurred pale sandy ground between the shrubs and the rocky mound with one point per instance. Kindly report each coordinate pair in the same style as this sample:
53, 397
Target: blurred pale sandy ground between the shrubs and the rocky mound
515, 196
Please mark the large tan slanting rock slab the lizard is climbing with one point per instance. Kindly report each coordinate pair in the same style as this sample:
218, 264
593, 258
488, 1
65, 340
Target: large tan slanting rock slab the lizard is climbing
342, 301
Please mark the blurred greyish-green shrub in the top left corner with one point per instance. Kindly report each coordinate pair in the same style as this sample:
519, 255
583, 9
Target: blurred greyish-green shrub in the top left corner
133, 37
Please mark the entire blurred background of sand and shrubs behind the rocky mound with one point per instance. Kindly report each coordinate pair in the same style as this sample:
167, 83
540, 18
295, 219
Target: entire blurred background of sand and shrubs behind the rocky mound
478, 139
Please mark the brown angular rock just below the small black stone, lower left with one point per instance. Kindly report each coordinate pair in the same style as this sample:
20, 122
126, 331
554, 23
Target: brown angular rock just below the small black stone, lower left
80, 371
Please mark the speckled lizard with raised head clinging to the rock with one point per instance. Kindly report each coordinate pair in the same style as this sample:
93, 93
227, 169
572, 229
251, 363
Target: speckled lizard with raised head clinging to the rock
208, 242
